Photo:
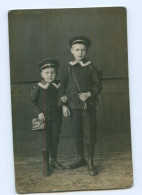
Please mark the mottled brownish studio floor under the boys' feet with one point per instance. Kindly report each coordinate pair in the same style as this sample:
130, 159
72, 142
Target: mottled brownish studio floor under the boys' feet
115, 171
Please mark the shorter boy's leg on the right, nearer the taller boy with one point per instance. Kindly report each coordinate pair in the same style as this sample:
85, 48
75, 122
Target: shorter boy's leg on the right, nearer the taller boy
56, 129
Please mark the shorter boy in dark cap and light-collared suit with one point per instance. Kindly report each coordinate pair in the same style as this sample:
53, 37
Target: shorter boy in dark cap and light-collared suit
44, 101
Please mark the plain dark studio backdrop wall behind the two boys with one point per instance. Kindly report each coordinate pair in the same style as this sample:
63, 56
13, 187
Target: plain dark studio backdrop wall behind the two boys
38, 34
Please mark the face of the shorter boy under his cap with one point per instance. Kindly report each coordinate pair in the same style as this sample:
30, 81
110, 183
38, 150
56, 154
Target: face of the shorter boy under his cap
49, 74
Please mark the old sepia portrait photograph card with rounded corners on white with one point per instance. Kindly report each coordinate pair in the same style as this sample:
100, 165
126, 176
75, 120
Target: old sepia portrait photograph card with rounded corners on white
70, 99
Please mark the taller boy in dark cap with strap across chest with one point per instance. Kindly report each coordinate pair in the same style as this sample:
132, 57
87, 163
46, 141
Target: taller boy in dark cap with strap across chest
81, 83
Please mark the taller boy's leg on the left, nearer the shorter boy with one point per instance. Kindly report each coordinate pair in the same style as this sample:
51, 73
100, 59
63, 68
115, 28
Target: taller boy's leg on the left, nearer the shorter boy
78, 137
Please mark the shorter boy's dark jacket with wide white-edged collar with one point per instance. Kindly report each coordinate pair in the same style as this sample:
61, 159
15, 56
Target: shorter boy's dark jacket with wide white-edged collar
44, 99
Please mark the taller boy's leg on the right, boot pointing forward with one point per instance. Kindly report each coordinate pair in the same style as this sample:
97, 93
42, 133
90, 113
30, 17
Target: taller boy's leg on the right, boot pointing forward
89, 128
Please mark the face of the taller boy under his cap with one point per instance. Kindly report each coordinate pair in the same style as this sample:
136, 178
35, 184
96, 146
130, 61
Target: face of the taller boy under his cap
79, 51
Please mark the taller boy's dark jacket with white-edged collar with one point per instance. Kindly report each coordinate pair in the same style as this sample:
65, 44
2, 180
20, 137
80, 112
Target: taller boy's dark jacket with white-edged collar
88, 78
